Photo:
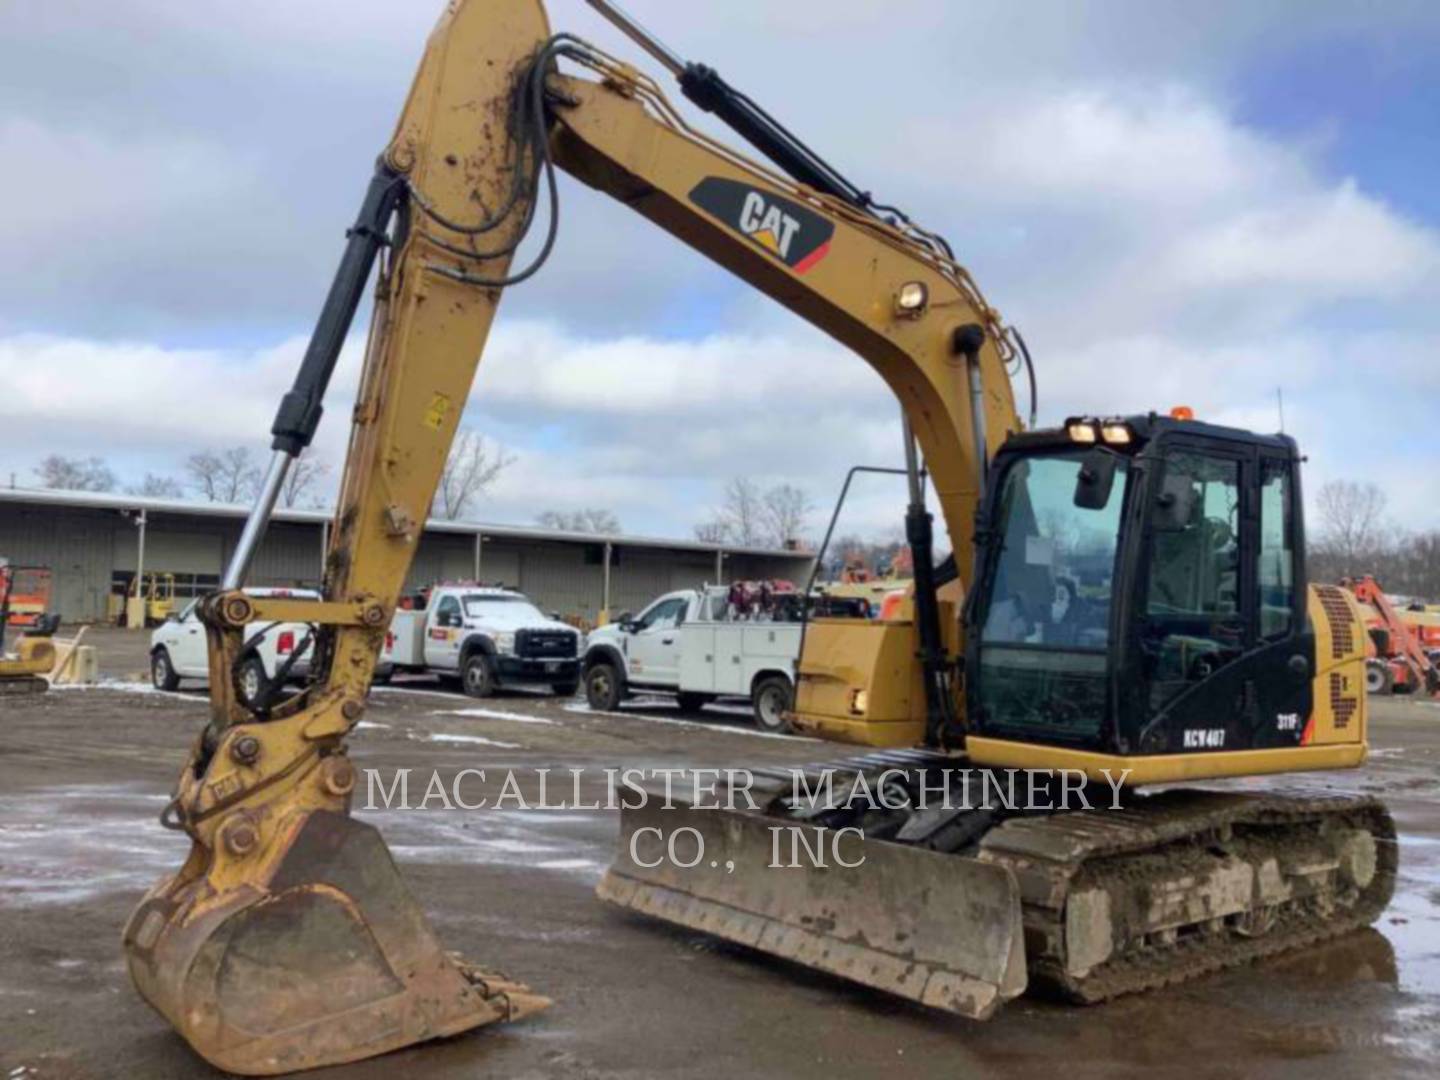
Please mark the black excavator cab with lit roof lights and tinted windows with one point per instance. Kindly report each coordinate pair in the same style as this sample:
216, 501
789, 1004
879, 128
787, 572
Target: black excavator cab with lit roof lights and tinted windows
1141, 593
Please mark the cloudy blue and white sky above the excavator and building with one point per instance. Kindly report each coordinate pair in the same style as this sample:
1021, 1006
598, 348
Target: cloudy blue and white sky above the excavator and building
1177, 204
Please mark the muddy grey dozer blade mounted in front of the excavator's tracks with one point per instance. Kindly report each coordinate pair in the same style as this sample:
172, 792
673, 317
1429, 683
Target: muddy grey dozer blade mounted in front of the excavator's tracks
938, 930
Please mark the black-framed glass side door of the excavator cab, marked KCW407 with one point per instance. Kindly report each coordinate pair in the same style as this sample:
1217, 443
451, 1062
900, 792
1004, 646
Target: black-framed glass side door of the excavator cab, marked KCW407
1222, 652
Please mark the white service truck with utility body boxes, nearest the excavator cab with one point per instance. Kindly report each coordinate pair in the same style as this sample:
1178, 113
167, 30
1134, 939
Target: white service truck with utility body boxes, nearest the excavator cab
688, 644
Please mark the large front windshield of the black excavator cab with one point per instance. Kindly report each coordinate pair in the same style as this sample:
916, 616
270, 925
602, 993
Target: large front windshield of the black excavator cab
1048, 616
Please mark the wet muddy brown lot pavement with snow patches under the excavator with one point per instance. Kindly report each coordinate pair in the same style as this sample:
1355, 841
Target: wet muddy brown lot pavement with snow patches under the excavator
84, 775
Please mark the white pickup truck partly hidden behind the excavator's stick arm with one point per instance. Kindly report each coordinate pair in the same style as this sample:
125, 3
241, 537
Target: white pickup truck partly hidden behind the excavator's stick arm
178, 649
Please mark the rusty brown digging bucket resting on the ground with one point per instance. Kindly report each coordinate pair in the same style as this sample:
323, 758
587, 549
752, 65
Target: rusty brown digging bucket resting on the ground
328, 961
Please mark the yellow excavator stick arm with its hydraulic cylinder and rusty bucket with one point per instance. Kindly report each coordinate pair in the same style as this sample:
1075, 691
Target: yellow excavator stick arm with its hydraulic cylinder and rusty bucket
289, 941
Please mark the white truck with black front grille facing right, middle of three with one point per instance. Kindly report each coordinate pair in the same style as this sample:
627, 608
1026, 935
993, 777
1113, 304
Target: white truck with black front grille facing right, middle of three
487, 639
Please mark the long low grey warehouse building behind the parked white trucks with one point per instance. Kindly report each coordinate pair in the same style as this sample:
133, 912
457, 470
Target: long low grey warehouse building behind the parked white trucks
93, 544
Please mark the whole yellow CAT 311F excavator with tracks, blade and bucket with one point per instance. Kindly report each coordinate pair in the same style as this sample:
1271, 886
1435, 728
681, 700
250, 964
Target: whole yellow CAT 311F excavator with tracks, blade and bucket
1190, 646
